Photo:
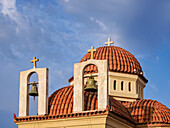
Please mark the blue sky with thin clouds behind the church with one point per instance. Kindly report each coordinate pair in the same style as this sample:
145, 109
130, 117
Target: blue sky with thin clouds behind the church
59, 33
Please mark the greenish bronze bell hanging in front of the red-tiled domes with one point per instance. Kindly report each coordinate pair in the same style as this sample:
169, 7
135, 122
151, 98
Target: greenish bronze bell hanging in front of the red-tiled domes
91, 85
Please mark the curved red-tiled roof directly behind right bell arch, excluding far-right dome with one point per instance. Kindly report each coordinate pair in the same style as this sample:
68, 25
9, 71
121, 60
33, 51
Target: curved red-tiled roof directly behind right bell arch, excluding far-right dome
61, 102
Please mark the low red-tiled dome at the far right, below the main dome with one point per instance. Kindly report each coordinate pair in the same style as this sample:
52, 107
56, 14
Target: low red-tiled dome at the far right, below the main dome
148, 112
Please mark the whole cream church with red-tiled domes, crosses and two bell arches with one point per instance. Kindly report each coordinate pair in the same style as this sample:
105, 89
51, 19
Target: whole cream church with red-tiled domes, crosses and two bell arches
106, 91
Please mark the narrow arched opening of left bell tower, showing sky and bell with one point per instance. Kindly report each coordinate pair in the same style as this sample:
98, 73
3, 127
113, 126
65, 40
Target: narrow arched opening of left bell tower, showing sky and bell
33, 100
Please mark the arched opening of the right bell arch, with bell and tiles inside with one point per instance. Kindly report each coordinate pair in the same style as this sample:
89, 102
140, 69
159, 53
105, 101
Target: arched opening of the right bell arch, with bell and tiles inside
90, 83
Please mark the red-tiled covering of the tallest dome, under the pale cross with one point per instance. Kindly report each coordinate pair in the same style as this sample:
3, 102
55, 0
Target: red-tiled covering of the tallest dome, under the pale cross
119, 60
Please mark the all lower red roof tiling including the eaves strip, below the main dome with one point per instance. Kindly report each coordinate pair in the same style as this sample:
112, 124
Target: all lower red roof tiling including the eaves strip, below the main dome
144, 112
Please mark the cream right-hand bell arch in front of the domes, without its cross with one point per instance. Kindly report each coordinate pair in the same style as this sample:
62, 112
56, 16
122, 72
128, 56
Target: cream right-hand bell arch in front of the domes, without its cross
102, 66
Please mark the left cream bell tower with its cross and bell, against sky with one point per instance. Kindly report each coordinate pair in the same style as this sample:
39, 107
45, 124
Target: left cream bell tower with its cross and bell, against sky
42, 91
